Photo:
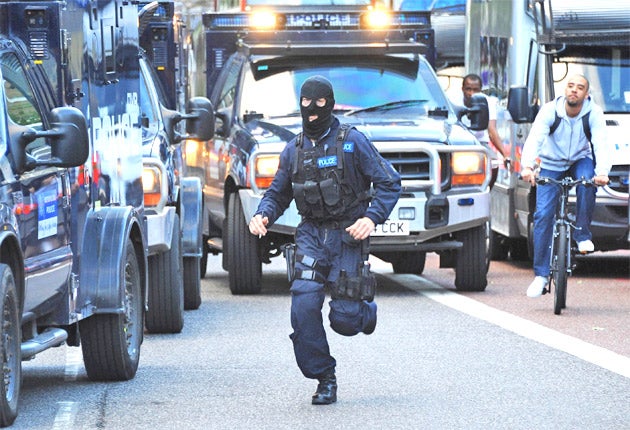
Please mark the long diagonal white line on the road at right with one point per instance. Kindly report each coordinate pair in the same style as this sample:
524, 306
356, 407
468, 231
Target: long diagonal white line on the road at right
594, 354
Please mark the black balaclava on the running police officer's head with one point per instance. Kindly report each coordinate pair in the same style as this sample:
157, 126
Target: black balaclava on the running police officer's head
314, 88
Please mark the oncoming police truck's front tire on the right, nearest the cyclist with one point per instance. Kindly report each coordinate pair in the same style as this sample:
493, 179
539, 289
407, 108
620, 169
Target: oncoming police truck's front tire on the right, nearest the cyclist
471, 267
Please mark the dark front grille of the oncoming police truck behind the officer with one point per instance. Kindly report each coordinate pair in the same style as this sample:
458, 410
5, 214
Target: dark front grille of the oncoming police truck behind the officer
415, 166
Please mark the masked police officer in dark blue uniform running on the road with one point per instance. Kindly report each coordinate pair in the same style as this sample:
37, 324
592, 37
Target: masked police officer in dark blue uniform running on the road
328, 170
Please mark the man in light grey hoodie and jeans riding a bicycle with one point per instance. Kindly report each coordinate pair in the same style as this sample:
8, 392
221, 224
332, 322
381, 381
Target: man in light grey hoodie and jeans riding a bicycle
559, 140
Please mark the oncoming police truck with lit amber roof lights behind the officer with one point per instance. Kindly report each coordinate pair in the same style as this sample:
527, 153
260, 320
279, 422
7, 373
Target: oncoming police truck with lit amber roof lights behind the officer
381, 66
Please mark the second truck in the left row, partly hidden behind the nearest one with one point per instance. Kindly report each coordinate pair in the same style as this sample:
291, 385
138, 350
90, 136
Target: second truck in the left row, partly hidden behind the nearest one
172, 199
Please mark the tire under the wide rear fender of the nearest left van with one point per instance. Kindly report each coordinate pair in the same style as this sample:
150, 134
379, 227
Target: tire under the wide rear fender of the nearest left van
111, 342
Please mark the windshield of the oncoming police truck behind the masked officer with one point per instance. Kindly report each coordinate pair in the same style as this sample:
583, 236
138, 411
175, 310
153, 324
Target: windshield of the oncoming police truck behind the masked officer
359, 90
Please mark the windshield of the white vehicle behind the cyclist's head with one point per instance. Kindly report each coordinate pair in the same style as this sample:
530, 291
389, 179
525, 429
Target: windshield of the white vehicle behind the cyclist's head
608, 75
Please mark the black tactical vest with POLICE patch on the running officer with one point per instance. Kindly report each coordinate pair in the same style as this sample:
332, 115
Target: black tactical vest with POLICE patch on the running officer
320, 190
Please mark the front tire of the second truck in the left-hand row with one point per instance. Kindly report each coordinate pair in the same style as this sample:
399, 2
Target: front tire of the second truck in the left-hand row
165, 312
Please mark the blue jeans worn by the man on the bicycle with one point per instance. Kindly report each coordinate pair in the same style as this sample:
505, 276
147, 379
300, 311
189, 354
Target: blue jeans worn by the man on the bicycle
546, 202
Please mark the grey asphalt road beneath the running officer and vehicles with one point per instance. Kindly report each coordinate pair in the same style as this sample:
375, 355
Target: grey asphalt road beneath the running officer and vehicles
437, 360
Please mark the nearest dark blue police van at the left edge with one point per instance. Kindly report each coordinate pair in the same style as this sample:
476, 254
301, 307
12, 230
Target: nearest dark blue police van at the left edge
73, 258
